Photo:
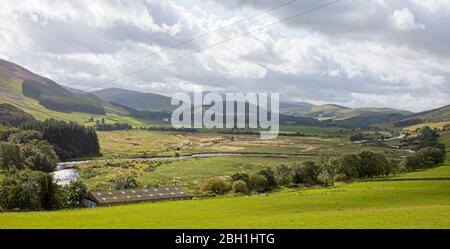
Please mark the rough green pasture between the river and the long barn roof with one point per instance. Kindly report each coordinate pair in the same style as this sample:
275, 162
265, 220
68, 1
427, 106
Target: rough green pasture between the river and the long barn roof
186, 172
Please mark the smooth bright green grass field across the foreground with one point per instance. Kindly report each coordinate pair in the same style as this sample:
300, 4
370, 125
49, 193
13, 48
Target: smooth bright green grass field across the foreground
412, 204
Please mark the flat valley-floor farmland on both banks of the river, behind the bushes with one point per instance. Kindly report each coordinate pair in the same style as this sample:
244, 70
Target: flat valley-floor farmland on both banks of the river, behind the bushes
119, 145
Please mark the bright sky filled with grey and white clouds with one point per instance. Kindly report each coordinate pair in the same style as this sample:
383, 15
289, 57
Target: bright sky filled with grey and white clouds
359, 53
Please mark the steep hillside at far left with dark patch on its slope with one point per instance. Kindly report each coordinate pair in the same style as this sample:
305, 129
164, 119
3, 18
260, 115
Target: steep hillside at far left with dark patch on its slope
43, 98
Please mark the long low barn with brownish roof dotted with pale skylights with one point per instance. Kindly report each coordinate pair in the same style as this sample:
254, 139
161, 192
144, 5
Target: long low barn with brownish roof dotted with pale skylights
126, 196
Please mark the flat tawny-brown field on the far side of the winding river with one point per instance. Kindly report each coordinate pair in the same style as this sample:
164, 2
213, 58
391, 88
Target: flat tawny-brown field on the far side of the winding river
139, 143
